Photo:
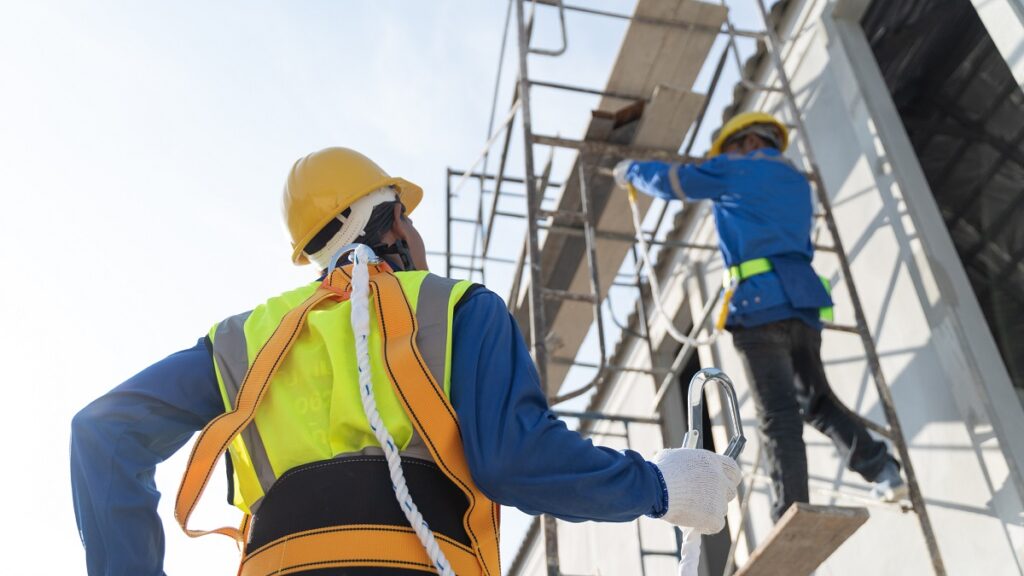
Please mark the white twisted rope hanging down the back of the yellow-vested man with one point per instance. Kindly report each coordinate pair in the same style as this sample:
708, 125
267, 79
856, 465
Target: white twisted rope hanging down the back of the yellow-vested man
361, 327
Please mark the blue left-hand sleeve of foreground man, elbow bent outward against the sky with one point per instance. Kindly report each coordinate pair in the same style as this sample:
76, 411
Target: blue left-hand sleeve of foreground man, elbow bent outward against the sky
117, 442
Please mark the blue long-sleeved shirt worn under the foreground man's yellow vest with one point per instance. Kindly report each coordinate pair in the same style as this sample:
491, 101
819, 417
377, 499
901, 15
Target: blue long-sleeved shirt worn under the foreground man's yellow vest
520, 454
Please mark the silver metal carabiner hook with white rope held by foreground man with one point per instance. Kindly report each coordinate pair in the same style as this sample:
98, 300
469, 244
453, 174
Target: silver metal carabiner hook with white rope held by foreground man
690, 556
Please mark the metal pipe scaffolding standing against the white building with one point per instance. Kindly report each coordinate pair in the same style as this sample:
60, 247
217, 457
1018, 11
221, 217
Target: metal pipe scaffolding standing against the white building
533, 295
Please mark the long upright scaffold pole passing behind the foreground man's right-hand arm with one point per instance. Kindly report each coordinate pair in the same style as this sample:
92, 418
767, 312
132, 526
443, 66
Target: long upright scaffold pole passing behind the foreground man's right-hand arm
538, 326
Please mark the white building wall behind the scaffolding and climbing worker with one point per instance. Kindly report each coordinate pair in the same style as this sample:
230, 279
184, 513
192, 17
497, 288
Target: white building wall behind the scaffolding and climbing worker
960, 416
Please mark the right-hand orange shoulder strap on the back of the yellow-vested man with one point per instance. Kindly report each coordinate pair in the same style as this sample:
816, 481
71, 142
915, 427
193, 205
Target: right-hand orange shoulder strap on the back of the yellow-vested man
434, 417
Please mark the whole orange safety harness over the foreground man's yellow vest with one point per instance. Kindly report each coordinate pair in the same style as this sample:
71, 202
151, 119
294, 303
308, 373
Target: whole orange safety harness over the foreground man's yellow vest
428, 407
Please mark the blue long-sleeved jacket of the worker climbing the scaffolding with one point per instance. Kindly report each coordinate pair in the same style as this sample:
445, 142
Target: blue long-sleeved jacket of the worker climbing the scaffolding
762, 209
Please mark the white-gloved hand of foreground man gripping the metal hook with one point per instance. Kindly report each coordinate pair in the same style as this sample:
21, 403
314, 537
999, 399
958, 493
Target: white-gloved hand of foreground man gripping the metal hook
701, 485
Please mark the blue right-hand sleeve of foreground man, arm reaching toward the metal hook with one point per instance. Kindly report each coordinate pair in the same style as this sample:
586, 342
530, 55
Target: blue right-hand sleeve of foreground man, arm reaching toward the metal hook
520, 454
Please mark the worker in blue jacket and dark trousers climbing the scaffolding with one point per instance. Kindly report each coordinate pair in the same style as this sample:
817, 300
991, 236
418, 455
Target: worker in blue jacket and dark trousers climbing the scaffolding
763, 212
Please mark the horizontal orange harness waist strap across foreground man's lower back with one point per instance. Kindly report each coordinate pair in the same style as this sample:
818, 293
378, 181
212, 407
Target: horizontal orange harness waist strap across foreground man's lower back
375, 546
